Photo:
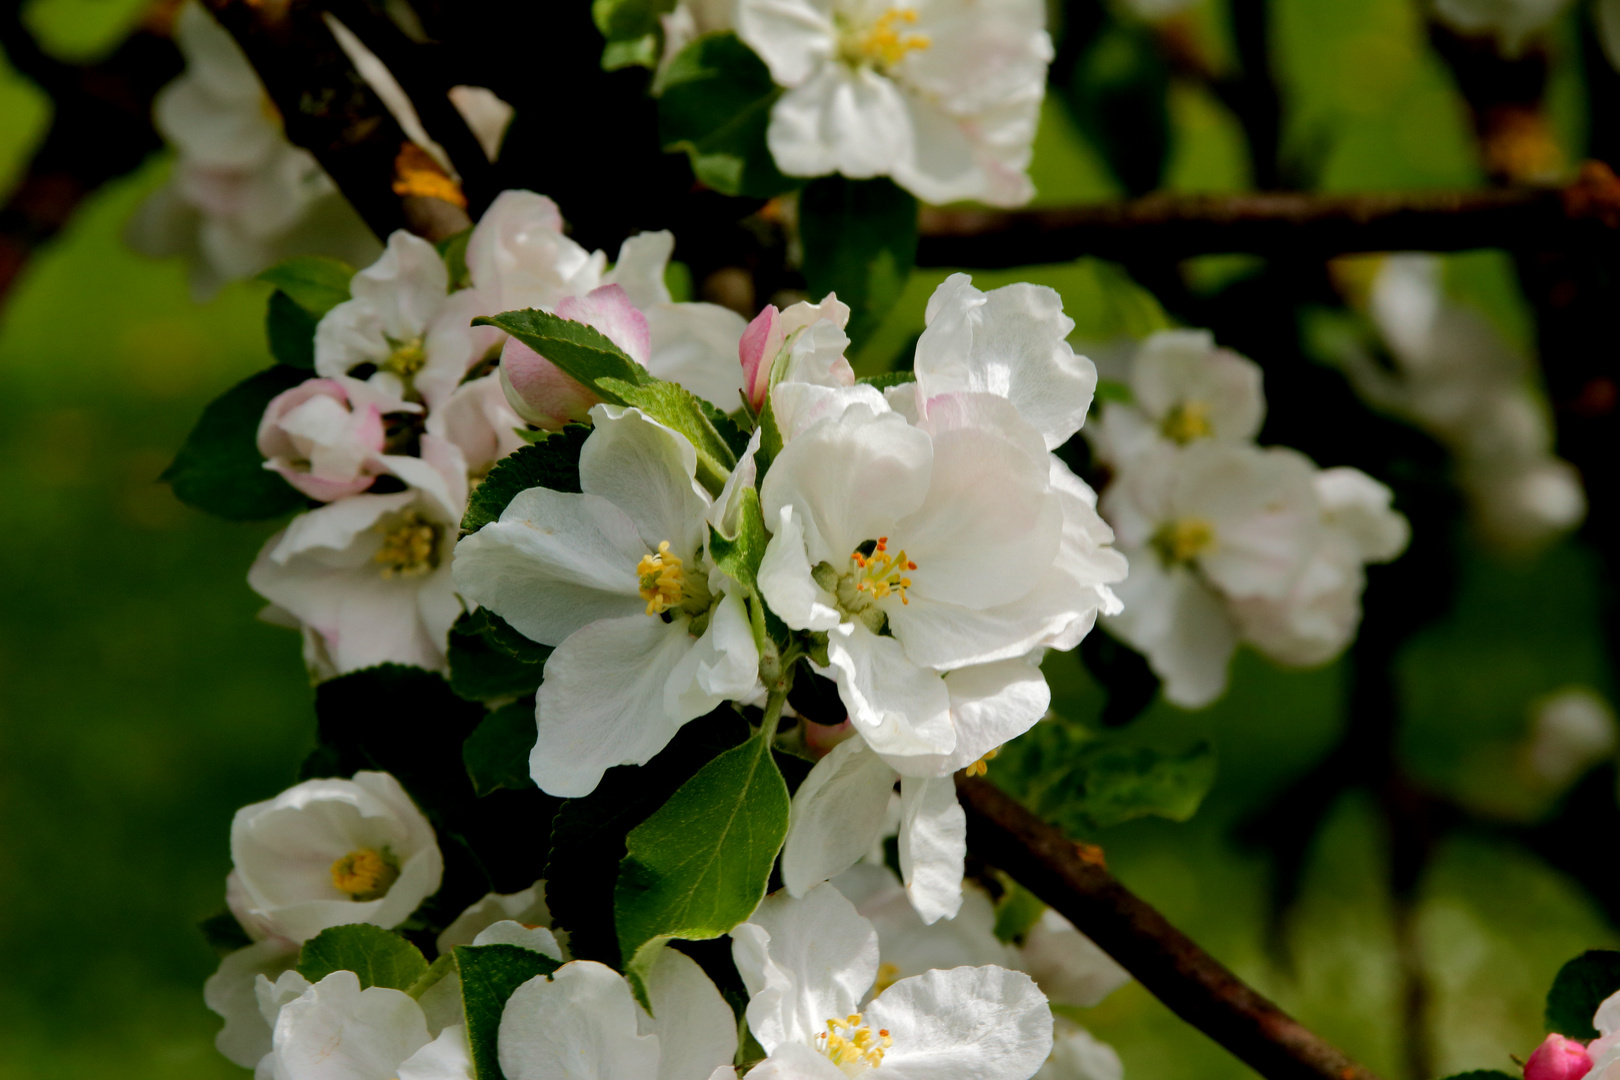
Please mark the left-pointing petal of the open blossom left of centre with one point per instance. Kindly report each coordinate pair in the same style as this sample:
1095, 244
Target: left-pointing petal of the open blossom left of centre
553, 564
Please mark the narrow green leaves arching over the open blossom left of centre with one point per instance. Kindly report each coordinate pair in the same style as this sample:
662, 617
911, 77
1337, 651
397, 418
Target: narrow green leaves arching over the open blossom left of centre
590, 359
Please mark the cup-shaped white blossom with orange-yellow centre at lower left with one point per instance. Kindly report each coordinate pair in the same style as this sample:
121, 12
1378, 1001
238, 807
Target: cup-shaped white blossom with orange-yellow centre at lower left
328, 854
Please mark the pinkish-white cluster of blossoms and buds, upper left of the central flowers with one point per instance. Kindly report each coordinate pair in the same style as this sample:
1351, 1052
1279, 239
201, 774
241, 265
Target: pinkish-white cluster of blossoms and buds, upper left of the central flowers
406, 391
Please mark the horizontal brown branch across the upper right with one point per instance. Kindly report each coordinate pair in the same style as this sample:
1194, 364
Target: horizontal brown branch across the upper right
1279, 224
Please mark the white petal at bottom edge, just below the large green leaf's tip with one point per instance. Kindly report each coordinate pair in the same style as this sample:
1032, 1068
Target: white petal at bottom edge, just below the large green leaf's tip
696, 1029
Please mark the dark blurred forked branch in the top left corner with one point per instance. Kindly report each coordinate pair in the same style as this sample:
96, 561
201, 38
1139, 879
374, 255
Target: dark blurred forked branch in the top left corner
101, 130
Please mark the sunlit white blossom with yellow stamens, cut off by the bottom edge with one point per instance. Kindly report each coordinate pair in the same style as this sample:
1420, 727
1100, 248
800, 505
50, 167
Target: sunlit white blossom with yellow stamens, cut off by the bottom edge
809, 967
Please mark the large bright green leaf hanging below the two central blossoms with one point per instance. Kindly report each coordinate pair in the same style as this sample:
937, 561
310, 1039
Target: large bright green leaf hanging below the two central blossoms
702, 862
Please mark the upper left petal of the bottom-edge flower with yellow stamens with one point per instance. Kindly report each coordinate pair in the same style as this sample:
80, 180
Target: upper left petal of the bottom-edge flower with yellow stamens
804, 964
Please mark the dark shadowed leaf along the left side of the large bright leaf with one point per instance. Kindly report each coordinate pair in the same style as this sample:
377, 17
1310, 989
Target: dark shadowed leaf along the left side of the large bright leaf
589, 835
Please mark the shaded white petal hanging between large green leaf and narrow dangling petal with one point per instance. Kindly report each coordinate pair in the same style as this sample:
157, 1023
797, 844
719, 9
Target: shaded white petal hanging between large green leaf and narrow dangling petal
837, 815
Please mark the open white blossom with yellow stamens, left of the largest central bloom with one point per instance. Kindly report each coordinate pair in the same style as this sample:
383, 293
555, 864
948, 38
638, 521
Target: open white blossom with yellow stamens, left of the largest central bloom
646, 634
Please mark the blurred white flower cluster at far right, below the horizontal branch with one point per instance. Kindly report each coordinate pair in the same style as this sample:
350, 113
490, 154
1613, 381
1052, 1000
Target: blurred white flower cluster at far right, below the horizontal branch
1457, 378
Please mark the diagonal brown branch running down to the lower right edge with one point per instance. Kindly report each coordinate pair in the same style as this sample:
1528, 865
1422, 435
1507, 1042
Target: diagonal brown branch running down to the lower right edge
1195, 985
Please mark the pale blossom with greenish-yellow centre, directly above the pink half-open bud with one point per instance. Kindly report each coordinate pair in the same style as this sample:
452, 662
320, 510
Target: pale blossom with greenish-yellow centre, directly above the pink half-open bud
404, 323
